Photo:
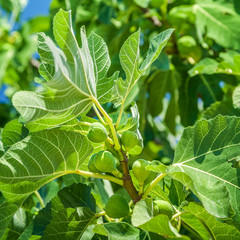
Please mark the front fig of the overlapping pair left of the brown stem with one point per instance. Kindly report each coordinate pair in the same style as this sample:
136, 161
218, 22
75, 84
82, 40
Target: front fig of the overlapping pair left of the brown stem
105, 162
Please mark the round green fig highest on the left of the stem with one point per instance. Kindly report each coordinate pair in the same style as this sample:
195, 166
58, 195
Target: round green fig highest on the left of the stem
97, 133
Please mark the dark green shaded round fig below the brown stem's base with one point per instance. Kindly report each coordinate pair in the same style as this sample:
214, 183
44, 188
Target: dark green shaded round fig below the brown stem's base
117, 206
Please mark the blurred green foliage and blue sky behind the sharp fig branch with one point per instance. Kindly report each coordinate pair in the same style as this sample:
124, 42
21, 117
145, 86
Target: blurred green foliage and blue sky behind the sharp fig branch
194, 78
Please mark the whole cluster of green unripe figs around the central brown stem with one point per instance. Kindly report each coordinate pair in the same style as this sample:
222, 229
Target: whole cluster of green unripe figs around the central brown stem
106, 161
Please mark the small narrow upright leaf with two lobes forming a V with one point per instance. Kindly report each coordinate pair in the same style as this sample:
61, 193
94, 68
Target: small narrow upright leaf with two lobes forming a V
129, 59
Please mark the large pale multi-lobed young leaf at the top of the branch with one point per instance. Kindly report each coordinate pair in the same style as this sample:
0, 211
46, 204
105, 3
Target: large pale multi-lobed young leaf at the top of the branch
76, 76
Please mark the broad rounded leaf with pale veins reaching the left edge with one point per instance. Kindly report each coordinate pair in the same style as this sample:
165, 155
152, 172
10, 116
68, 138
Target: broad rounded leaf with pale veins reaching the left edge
36, 160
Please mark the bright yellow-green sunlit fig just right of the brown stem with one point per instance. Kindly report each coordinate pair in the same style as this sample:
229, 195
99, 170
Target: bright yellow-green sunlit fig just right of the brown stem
139, 170
